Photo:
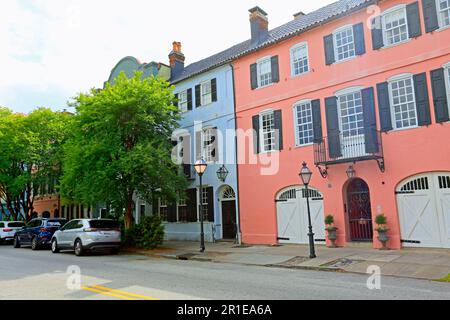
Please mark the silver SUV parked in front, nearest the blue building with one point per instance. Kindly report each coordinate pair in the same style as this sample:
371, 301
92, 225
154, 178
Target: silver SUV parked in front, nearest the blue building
87, 235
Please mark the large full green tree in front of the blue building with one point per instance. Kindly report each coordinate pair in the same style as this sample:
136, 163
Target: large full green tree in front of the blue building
120, 145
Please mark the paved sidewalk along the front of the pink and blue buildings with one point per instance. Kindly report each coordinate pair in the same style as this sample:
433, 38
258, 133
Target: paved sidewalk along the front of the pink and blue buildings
430, 264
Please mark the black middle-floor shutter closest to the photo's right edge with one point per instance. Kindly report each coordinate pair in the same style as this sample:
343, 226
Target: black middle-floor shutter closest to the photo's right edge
440, 95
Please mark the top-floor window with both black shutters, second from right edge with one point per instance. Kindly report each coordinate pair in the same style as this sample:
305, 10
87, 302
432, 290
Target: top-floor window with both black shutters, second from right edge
396, 25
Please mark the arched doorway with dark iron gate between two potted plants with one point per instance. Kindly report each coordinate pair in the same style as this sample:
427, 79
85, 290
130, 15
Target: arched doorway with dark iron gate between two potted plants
359, 210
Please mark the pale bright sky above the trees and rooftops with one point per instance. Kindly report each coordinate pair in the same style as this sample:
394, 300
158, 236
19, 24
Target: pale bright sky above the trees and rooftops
51, 50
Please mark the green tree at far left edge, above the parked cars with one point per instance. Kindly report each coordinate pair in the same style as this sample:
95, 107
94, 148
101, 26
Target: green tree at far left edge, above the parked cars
30, 149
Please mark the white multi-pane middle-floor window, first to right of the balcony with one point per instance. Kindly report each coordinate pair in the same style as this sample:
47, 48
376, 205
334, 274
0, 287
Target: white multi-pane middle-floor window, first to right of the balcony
403, 103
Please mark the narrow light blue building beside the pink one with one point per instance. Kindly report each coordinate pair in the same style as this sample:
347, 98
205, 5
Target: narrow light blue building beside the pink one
206, 98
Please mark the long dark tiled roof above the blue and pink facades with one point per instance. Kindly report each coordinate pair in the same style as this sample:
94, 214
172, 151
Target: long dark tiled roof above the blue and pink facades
295, 27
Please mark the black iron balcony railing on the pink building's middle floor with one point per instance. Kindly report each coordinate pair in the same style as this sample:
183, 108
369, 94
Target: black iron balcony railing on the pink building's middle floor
344, 148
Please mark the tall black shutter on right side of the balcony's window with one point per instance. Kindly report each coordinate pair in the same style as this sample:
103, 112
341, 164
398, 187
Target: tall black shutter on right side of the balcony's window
370, 121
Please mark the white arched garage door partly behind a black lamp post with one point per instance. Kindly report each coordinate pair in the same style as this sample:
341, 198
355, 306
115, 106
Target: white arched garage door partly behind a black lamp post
292, 216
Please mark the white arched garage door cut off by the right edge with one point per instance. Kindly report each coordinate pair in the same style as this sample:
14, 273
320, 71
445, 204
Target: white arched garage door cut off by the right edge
424, 210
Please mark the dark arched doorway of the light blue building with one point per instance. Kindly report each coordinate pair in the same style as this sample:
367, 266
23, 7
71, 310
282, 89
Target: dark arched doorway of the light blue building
229, 221
